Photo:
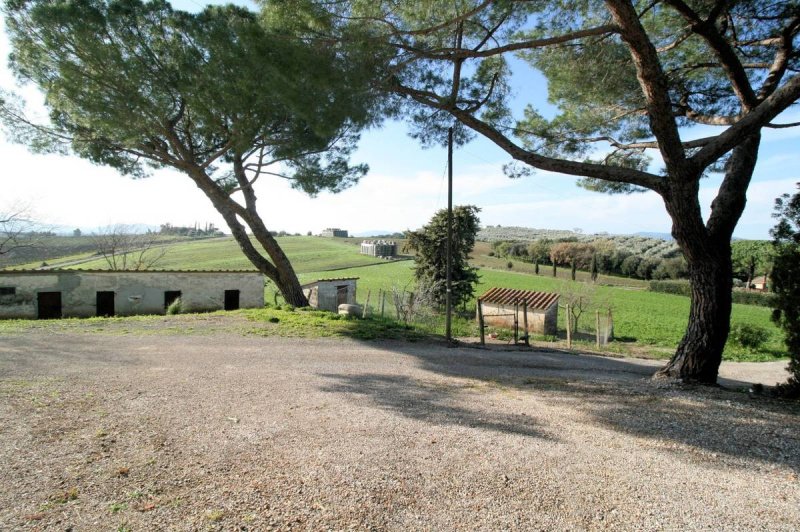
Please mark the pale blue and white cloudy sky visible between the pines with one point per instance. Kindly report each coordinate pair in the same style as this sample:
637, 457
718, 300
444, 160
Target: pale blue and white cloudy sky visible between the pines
405, 186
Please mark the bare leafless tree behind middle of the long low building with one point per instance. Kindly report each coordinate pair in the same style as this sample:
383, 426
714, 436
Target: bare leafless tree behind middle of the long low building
125, 247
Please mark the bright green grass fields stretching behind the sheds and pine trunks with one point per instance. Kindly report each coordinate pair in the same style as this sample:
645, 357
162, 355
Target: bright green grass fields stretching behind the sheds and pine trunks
643, 320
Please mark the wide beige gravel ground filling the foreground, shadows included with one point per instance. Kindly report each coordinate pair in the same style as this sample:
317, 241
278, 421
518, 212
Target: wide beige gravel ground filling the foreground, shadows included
225, 432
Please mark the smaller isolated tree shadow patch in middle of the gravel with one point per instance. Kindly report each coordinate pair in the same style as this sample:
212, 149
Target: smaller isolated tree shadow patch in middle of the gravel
436, 403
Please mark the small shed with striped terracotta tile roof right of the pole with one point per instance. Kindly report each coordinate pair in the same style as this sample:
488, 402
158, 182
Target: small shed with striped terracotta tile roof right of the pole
501, 306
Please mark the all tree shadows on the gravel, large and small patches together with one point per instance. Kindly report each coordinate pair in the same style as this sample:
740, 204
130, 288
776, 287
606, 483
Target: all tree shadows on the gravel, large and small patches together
617, 394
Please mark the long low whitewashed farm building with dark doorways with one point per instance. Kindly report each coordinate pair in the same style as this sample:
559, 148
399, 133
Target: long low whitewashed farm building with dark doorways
47, 294
